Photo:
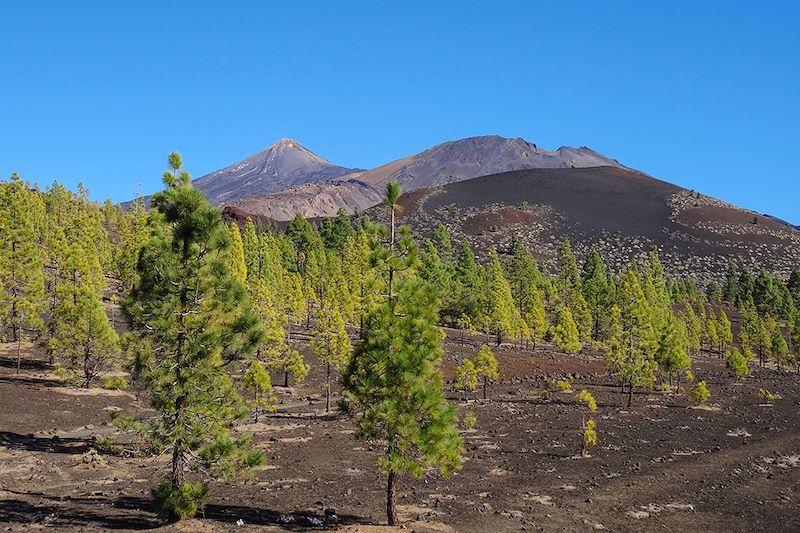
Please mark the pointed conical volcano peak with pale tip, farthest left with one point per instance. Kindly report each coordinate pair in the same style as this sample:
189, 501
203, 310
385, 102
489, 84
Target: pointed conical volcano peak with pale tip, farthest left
280, 166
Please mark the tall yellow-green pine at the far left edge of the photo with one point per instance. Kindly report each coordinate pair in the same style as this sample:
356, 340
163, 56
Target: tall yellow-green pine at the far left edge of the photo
23, 299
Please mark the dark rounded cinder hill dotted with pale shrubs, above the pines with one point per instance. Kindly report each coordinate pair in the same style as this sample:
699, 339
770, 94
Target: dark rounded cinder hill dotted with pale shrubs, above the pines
622, 212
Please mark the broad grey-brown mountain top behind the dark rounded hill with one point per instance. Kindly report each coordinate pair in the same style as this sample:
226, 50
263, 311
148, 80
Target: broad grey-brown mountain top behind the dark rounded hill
472, 157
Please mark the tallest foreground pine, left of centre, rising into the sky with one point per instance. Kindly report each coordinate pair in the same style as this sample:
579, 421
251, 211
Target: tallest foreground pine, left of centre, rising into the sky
196, 316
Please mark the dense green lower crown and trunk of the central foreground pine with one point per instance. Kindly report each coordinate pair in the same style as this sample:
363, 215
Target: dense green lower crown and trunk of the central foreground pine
393, 386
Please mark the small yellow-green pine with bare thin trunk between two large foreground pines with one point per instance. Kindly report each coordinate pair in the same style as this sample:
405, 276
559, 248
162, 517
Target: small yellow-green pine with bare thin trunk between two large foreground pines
330, 341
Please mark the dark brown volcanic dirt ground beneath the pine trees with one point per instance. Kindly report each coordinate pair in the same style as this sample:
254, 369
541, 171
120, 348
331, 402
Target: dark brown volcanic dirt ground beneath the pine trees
664, 464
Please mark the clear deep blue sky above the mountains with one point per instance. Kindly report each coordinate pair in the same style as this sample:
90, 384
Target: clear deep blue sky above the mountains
703, 94
